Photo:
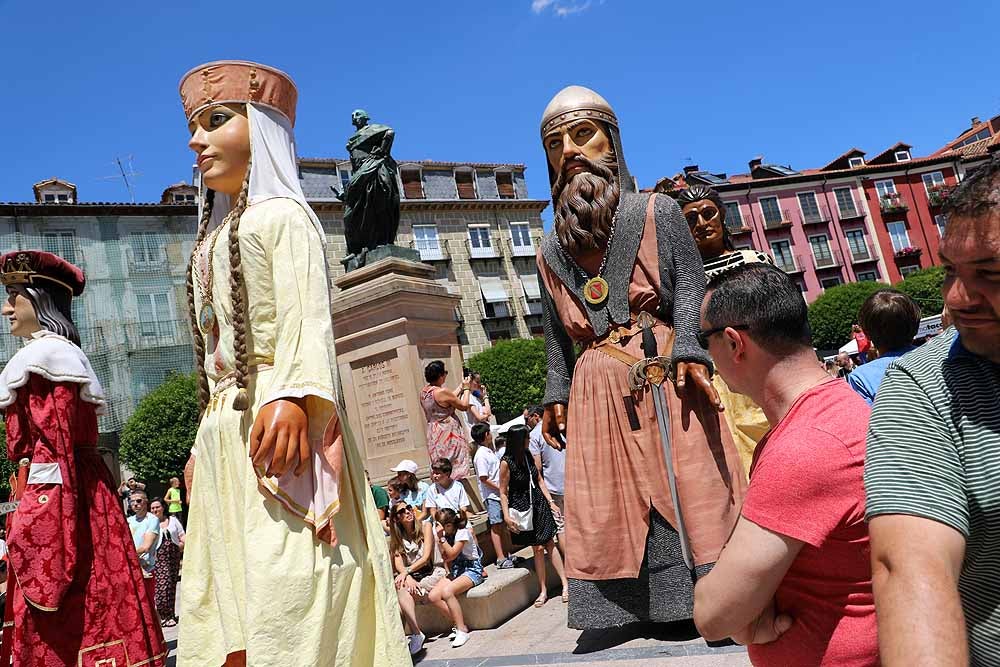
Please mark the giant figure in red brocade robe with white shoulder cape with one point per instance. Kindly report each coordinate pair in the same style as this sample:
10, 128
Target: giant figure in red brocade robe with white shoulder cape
76, 595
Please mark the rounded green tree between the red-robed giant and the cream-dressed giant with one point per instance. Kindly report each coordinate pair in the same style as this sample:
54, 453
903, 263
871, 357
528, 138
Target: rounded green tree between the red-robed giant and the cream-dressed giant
157, 439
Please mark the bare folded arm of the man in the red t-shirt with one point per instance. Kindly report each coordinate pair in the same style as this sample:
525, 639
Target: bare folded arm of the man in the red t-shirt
741, 586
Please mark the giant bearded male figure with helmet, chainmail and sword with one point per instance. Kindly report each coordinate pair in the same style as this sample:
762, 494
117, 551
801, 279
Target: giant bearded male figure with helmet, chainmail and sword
616, 253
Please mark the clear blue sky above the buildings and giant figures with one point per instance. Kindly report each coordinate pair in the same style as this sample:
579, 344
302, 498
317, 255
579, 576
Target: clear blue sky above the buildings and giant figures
716, 83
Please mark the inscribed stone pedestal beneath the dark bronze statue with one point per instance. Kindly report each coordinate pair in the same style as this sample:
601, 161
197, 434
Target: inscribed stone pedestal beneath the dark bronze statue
391, 319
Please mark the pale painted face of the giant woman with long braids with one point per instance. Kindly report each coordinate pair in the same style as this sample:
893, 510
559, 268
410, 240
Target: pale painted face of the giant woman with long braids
220, 137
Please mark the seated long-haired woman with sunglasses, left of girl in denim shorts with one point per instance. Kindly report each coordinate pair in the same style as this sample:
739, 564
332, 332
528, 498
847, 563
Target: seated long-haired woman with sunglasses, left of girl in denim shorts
417, 563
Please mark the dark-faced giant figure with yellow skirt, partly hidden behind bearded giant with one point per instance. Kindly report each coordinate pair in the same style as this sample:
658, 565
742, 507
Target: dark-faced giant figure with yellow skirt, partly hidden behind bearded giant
706, 216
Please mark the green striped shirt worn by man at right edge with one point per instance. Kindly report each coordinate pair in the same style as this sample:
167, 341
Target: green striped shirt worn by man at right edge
934, 452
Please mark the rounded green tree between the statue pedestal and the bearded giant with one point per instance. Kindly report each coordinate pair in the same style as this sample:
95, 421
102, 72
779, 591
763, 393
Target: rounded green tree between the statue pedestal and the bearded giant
514, 372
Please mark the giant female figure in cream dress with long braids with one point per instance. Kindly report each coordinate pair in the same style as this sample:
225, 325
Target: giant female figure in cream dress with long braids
285, 561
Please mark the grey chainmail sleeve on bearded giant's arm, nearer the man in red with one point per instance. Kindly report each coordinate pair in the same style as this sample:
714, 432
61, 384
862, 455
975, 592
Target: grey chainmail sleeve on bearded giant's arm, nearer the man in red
688, 283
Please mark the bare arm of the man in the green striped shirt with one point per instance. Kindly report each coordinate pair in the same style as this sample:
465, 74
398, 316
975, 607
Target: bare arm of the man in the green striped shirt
916, 564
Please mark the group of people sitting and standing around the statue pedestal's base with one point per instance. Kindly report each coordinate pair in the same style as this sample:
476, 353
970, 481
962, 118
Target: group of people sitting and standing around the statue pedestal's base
519, 479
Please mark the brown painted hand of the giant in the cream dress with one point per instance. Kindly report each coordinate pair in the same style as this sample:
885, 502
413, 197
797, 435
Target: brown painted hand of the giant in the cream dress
279, 439
